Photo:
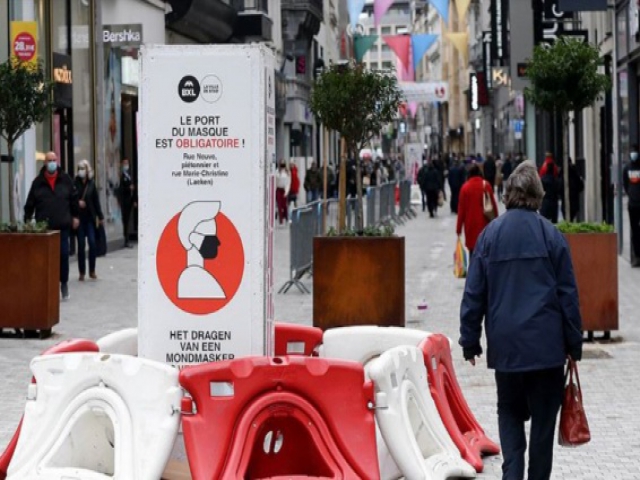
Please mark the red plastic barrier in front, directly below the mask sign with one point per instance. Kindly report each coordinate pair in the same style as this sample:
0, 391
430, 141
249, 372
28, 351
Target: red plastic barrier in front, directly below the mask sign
282, 417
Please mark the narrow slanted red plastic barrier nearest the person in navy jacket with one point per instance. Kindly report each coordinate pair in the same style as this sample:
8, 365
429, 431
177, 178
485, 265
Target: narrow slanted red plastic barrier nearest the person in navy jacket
464, 429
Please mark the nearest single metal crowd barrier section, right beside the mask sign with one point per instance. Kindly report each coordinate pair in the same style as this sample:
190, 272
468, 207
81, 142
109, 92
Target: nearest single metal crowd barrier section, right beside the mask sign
304, 226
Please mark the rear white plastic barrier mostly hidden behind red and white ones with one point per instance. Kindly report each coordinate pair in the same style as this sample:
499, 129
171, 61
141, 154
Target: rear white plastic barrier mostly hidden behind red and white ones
363, 344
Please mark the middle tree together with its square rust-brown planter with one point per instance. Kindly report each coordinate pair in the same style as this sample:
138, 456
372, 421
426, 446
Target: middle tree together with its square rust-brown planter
358, 276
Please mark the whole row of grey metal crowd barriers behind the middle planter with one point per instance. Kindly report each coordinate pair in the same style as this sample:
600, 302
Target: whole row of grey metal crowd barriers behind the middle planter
379, 207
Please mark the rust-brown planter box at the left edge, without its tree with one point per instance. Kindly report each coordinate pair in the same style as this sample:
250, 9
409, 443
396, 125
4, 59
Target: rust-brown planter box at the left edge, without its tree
30, 281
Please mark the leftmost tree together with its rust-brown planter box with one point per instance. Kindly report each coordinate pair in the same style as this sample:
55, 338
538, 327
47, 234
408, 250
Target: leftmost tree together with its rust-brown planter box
29, 254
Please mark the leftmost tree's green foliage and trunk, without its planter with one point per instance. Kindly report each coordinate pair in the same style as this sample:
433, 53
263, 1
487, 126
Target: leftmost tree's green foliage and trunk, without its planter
25, 99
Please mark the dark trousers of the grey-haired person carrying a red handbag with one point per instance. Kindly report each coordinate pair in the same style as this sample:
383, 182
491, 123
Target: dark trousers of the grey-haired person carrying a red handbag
522, 395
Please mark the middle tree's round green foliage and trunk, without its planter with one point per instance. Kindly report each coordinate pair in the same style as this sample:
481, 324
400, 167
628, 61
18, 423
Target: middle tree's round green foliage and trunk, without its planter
356, 103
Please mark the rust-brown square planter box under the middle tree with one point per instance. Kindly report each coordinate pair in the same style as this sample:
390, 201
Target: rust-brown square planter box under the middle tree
358, 281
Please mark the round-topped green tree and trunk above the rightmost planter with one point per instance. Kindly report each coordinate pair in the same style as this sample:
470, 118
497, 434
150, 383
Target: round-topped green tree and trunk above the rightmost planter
564, 78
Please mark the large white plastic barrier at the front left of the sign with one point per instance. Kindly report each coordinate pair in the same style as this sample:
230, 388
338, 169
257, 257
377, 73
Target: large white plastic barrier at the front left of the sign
94, 416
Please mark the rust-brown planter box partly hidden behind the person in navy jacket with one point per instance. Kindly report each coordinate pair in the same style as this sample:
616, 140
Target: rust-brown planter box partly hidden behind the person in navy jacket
595, 262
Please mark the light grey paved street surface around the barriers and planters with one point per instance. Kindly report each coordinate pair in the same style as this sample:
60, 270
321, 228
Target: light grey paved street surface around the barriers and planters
609, 371
